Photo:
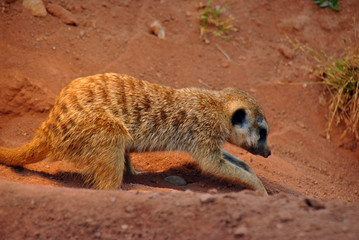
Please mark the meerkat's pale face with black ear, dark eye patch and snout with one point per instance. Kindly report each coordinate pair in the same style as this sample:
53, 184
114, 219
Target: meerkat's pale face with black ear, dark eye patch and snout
250, 131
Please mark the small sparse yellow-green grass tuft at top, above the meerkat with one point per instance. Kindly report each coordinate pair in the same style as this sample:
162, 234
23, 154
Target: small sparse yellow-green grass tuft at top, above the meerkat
210, 22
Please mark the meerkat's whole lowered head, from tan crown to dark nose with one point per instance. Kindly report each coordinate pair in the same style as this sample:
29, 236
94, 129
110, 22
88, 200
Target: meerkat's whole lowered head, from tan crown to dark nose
249, 128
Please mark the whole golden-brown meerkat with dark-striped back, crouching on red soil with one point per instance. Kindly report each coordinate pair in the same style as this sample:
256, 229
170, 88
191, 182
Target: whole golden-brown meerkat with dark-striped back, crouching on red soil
98, 120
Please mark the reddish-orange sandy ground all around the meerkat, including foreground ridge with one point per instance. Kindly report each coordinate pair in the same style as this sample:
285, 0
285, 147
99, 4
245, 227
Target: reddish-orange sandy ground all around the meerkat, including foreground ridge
313, 183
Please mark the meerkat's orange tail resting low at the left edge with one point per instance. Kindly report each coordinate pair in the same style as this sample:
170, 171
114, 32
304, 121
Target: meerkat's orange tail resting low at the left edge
32, 152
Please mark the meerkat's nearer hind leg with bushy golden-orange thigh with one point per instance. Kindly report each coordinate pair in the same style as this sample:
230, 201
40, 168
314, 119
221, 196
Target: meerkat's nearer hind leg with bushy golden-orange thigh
101, 153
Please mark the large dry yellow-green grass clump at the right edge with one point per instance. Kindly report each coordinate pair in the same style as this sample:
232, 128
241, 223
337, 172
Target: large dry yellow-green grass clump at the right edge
340, 77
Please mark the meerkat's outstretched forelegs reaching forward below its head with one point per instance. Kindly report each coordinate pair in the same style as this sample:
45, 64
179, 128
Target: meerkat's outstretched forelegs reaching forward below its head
227, 166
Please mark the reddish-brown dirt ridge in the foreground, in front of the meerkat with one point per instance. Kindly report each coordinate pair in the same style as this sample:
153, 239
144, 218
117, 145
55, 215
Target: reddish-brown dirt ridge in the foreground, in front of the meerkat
46, 212
